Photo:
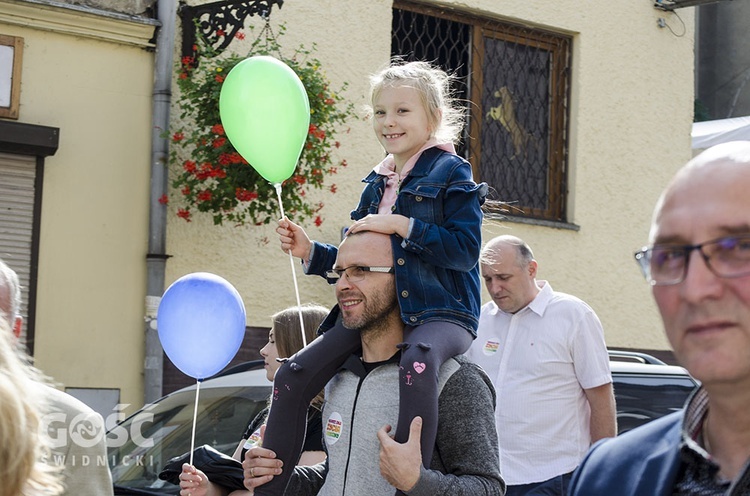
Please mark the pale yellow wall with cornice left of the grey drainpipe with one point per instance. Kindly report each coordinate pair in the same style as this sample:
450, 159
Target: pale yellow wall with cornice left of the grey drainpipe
91, 76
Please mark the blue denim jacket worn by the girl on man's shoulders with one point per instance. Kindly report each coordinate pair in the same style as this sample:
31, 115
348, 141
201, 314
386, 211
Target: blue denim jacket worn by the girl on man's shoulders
436, 265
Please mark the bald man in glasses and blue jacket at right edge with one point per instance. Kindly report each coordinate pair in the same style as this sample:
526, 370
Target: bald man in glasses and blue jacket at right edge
698, 266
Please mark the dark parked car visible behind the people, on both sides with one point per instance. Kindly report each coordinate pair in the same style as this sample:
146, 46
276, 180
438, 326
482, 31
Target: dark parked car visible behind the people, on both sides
140, 446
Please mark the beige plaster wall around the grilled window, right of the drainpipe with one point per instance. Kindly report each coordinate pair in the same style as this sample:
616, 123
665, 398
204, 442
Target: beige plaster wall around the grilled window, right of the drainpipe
630, 118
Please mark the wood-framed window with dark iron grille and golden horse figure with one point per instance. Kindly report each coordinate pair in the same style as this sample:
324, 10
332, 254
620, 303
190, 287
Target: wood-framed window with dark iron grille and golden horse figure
515, 81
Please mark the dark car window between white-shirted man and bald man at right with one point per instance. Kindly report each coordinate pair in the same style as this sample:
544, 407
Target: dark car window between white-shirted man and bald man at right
641, 398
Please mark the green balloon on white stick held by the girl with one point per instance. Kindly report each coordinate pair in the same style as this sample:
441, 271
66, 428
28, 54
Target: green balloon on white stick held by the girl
266, 115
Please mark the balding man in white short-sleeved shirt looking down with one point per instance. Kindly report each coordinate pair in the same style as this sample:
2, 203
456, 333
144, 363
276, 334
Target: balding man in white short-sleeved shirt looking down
545, 353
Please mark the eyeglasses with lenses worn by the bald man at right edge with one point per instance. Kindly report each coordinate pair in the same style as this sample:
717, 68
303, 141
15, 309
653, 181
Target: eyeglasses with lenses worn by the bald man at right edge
663, 265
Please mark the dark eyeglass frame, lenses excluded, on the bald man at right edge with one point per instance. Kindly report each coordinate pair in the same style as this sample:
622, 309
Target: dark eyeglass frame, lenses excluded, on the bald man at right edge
644, 255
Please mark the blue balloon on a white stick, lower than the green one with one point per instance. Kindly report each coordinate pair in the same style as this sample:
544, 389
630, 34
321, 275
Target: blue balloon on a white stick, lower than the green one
201, 322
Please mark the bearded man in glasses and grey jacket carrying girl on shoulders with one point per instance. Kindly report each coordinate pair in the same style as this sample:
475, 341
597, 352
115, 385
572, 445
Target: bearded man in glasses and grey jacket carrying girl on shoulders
361, 407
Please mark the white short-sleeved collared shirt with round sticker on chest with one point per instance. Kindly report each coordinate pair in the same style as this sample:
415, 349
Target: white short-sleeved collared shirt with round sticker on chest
540, 360
